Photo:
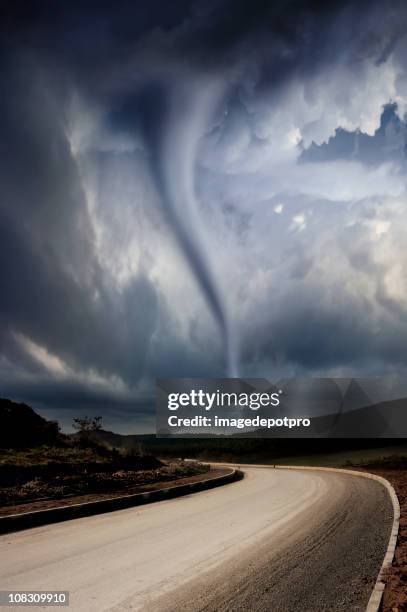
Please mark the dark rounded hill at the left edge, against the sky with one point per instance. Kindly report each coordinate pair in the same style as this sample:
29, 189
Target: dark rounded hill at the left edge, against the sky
22, 427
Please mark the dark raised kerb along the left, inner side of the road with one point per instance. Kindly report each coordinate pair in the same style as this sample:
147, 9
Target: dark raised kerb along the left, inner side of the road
47, 516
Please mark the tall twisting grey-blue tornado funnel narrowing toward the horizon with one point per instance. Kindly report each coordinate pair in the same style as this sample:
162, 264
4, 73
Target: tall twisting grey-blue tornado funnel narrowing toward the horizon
175, 118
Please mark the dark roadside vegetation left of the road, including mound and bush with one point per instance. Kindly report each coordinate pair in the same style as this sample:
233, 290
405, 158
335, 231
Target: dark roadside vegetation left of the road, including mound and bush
67, 467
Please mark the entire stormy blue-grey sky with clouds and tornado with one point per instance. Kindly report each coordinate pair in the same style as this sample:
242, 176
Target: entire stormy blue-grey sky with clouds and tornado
198, 188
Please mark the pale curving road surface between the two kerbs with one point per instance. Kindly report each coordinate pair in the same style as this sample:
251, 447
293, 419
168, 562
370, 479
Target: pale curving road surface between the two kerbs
278, 541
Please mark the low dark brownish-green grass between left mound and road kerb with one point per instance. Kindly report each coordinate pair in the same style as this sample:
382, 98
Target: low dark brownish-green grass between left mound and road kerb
70, 470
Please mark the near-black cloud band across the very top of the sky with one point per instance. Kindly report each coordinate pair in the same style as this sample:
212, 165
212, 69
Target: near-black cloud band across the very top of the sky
91, 40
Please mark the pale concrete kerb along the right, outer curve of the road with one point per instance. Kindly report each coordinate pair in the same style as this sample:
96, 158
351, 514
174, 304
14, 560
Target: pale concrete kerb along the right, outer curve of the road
375, 600
